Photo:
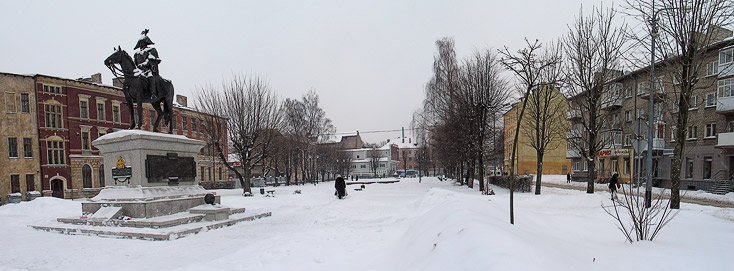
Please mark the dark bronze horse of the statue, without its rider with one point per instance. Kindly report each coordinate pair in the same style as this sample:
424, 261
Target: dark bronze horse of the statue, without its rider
136, 90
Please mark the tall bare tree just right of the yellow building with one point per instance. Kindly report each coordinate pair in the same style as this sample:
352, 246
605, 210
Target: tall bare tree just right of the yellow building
594, 48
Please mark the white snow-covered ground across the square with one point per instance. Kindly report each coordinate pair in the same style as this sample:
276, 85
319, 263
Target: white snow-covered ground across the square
408, 225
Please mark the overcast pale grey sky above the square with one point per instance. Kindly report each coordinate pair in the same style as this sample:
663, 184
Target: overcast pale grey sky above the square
368, 61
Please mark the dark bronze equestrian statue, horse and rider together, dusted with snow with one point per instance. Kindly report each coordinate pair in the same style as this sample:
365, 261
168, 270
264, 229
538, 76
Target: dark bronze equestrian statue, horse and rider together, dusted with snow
142, 82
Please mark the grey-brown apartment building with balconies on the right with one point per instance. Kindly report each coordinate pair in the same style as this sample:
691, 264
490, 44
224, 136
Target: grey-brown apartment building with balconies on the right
709, 146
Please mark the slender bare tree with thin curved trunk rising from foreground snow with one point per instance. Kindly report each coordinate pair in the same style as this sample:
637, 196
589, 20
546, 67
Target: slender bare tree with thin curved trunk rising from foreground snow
528, 65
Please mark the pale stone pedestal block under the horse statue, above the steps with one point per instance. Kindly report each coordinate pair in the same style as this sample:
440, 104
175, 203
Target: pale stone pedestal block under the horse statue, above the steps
151, 159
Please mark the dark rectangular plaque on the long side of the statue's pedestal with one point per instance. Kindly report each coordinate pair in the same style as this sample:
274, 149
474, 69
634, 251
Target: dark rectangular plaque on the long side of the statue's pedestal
159, 168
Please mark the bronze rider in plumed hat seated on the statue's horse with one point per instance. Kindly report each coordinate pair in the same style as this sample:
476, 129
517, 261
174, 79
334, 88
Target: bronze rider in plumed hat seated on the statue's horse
146, 60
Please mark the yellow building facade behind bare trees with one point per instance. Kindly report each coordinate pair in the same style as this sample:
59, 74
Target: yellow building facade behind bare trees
554, 160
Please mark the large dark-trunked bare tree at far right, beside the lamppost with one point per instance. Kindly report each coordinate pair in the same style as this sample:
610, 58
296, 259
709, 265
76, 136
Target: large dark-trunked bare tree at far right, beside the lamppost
687, 33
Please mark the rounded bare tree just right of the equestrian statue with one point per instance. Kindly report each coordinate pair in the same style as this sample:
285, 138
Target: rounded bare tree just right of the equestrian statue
253, 118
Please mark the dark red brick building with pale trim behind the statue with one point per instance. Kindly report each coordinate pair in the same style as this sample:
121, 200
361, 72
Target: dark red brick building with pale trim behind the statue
73, 113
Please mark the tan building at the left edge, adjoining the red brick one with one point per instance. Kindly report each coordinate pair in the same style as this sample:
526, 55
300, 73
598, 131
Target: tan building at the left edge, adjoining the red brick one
19, 167
